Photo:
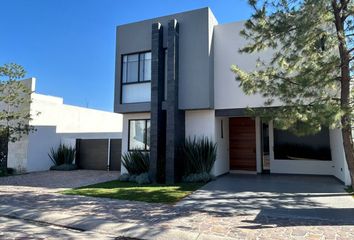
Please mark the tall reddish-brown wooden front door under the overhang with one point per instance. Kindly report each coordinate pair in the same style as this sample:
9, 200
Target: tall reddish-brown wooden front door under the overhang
242, 144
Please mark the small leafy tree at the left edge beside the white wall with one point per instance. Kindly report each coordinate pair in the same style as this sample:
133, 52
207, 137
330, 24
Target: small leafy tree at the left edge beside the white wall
14, 109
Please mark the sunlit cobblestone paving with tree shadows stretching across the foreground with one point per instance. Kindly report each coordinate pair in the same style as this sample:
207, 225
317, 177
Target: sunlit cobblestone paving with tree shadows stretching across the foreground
114, 216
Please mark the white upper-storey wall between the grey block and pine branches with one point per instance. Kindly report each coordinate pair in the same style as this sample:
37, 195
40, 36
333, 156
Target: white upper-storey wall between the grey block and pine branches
227, 42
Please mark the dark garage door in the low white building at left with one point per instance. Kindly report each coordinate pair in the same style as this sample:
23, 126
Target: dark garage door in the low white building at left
92, 154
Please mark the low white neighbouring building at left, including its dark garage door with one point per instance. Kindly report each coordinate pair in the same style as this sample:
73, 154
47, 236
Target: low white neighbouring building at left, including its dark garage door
95, 134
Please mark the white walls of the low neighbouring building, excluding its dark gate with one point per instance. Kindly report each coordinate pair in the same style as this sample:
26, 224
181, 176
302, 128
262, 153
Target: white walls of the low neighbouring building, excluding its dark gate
55, 123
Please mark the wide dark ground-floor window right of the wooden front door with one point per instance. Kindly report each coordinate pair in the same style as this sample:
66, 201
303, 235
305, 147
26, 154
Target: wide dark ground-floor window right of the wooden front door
288, 146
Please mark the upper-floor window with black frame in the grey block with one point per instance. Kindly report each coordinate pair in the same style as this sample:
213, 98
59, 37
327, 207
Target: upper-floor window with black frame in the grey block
136, 78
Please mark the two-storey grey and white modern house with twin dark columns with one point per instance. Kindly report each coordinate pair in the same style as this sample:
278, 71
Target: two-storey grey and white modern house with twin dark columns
173, 81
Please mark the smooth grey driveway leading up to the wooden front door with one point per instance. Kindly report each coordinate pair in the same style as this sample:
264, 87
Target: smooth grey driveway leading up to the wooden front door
314, 197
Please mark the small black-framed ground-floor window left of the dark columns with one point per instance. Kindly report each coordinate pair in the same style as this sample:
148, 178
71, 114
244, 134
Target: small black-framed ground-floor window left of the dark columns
139, 135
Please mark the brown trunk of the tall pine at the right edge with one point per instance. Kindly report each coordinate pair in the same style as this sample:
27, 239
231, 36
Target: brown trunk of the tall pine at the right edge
345, 86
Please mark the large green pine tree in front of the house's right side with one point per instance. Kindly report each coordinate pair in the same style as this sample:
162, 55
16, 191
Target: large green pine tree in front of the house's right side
311, 69
